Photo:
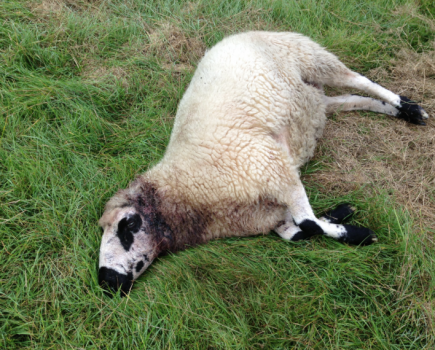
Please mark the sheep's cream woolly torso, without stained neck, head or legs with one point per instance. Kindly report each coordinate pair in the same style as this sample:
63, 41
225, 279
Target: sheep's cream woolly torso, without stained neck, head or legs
229, 142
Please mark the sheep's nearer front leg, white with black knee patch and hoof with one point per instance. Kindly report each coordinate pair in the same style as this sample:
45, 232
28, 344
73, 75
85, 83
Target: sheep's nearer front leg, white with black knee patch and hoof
305, 223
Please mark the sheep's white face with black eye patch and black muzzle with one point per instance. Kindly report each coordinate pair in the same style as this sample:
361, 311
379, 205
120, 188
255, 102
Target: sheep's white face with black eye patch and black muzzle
127, 249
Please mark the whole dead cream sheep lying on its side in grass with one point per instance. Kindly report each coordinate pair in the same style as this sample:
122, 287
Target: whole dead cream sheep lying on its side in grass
248, 121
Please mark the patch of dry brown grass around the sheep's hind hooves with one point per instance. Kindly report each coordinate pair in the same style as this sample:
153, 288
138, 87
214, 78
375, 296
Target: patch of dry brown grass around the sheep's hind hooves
388, 153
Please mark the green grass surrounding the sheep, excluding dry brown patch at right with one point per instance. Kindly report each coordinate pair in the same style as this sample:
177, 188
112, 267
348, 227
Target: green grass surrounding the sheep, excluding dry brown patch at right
88, 91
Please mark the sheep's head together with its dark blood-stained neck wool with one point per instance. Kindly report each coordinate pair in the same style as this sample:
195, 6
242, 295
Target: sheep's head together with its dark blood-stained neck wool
139, 223
